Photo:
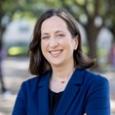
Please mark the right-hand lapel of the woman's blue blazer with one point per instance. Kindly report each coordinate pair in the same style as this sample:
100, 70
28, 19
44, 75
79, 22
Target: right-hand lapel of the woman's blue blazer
70, 92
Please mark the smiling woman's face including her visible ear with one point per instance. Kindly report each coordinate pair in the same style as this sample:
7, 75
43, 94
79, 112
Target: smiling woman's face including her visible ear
57, 43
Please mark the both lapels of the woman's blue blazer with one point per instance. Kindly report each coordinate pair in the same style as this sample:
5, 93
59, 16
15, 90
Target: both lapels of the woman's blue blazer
72, 88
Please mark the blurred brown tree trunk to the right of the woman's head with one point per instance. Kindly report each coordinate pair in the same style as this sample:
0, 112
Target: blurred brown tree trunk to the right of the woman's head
92, 32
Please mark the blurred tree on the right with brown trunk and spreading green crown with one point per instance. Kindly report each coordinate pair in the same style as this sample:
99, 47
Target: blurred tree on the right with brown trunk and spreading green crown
92, 15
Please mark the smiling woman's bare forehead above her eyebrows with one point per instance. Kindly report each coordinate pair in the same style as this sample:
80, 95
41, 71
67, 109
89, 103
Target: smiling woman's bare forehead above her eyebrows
54, 23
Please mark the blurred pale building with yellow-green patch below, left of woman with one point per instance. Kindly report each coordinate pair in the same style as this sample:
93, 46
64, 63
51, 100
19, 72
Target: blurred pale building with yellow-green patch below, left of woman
17, 37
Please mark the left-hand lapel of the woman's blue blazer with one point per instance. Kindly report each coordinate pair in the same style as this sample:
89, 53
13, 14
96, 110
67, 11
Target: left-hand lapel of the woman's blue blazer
43, 103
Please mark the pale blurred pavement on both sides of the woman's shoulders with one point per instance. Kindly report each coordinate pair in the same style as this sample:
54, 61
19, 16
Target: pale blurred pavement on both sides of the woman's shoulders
16, 71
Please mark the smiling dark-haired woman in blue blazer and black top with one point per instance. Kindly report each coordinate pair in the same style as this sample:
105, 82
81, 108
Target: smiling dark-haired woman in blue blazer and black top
63, 86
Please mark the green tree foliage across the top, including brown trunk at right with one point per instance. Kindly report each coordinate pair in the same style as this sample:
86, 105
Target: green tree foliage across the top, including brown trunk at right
91, 14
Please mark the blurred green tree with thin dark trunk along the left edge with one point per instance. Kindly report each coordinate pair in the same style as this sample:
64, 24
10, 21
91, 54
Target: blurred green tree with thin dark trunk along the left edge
8, 8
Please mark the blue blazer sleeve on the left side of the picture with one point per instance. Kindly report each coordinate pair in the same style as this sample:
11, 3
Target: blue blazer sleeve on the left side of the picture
20, 103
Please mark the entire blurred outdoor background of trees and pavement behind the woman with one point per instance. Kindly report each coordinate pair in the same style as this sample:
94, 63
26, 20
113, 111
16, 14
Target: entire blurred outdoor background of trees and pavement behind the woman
17, 19
